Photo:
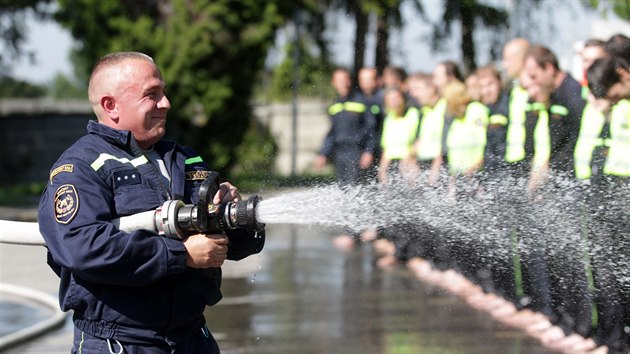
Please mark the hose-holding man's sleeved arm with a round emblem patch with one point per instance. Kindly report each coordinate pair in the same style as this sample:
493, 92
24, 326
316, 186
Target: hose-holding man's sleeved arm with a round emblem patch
75, 218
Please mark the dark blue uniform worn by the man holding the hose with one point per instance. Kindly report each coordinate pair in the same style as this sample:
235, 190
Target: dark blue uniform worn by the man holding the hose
132, 289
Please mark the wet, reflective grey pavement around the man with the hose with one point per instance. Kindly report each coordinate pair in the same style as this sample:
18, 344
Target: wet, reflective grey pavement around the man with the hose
301, 295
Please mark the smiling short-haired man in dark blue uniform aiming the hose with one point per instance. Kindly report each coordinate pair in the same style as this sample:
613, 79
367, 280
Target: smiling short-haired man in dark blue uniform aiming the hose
133, 292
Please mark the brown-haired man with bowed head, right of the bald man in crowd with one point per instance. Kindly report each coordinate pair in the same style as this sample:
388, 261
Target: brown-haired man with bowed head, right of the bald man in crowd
552, 127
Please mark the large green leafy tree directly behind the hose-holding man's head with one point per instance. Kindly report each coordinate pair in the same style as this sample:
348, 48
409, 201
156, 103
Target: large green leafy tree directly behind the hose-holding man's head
210, 52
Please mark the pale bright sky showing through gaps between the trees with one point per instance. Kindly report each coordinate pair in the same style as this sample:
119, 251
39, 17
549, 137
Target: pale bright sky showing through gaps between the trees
566, 25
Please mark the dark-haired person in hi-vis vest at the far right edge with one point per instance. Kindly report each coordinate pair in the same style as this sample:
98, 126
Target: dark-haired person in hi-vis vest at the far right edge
605, 161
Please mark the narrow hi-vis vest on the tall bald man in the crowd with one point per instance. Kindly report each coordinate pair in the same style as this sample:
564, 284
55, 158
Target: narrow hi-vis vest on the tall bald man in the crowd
516, 135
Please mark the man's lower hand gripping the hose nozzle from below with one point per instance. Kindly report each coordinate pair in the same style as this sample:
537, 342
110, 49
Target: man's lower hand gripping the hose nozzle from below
206, 251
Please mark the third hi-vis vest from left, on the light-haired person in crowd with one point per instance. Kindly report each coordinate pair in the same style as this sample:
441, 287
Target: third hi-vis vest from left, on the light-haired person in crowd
466, 139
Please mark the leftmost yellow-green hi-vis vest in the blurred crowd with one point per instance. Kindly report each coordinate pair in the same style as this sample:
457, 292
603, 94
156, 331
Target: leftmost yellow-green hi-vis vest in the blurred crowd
399, 134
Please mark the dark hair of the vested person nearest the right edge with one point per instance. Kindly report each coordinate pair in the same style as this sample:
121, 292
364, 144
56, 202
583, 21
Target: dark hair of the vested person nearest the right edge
603, 74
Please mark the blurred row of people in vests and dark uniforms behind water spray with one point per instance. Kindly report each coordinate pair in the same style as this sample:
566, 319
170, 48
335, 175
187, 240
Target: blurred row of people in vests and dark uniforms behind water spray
527, 120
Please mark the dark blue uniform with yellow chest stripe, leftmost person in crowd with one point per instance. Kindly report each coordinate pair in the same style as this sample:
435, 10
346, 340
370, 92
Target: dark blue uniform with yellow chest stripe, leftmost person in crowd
352, 132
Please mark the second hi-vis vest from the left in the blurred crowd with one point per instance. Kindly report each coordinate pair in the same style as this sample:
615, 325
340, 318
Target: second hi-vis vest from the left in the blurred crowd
431, 130
